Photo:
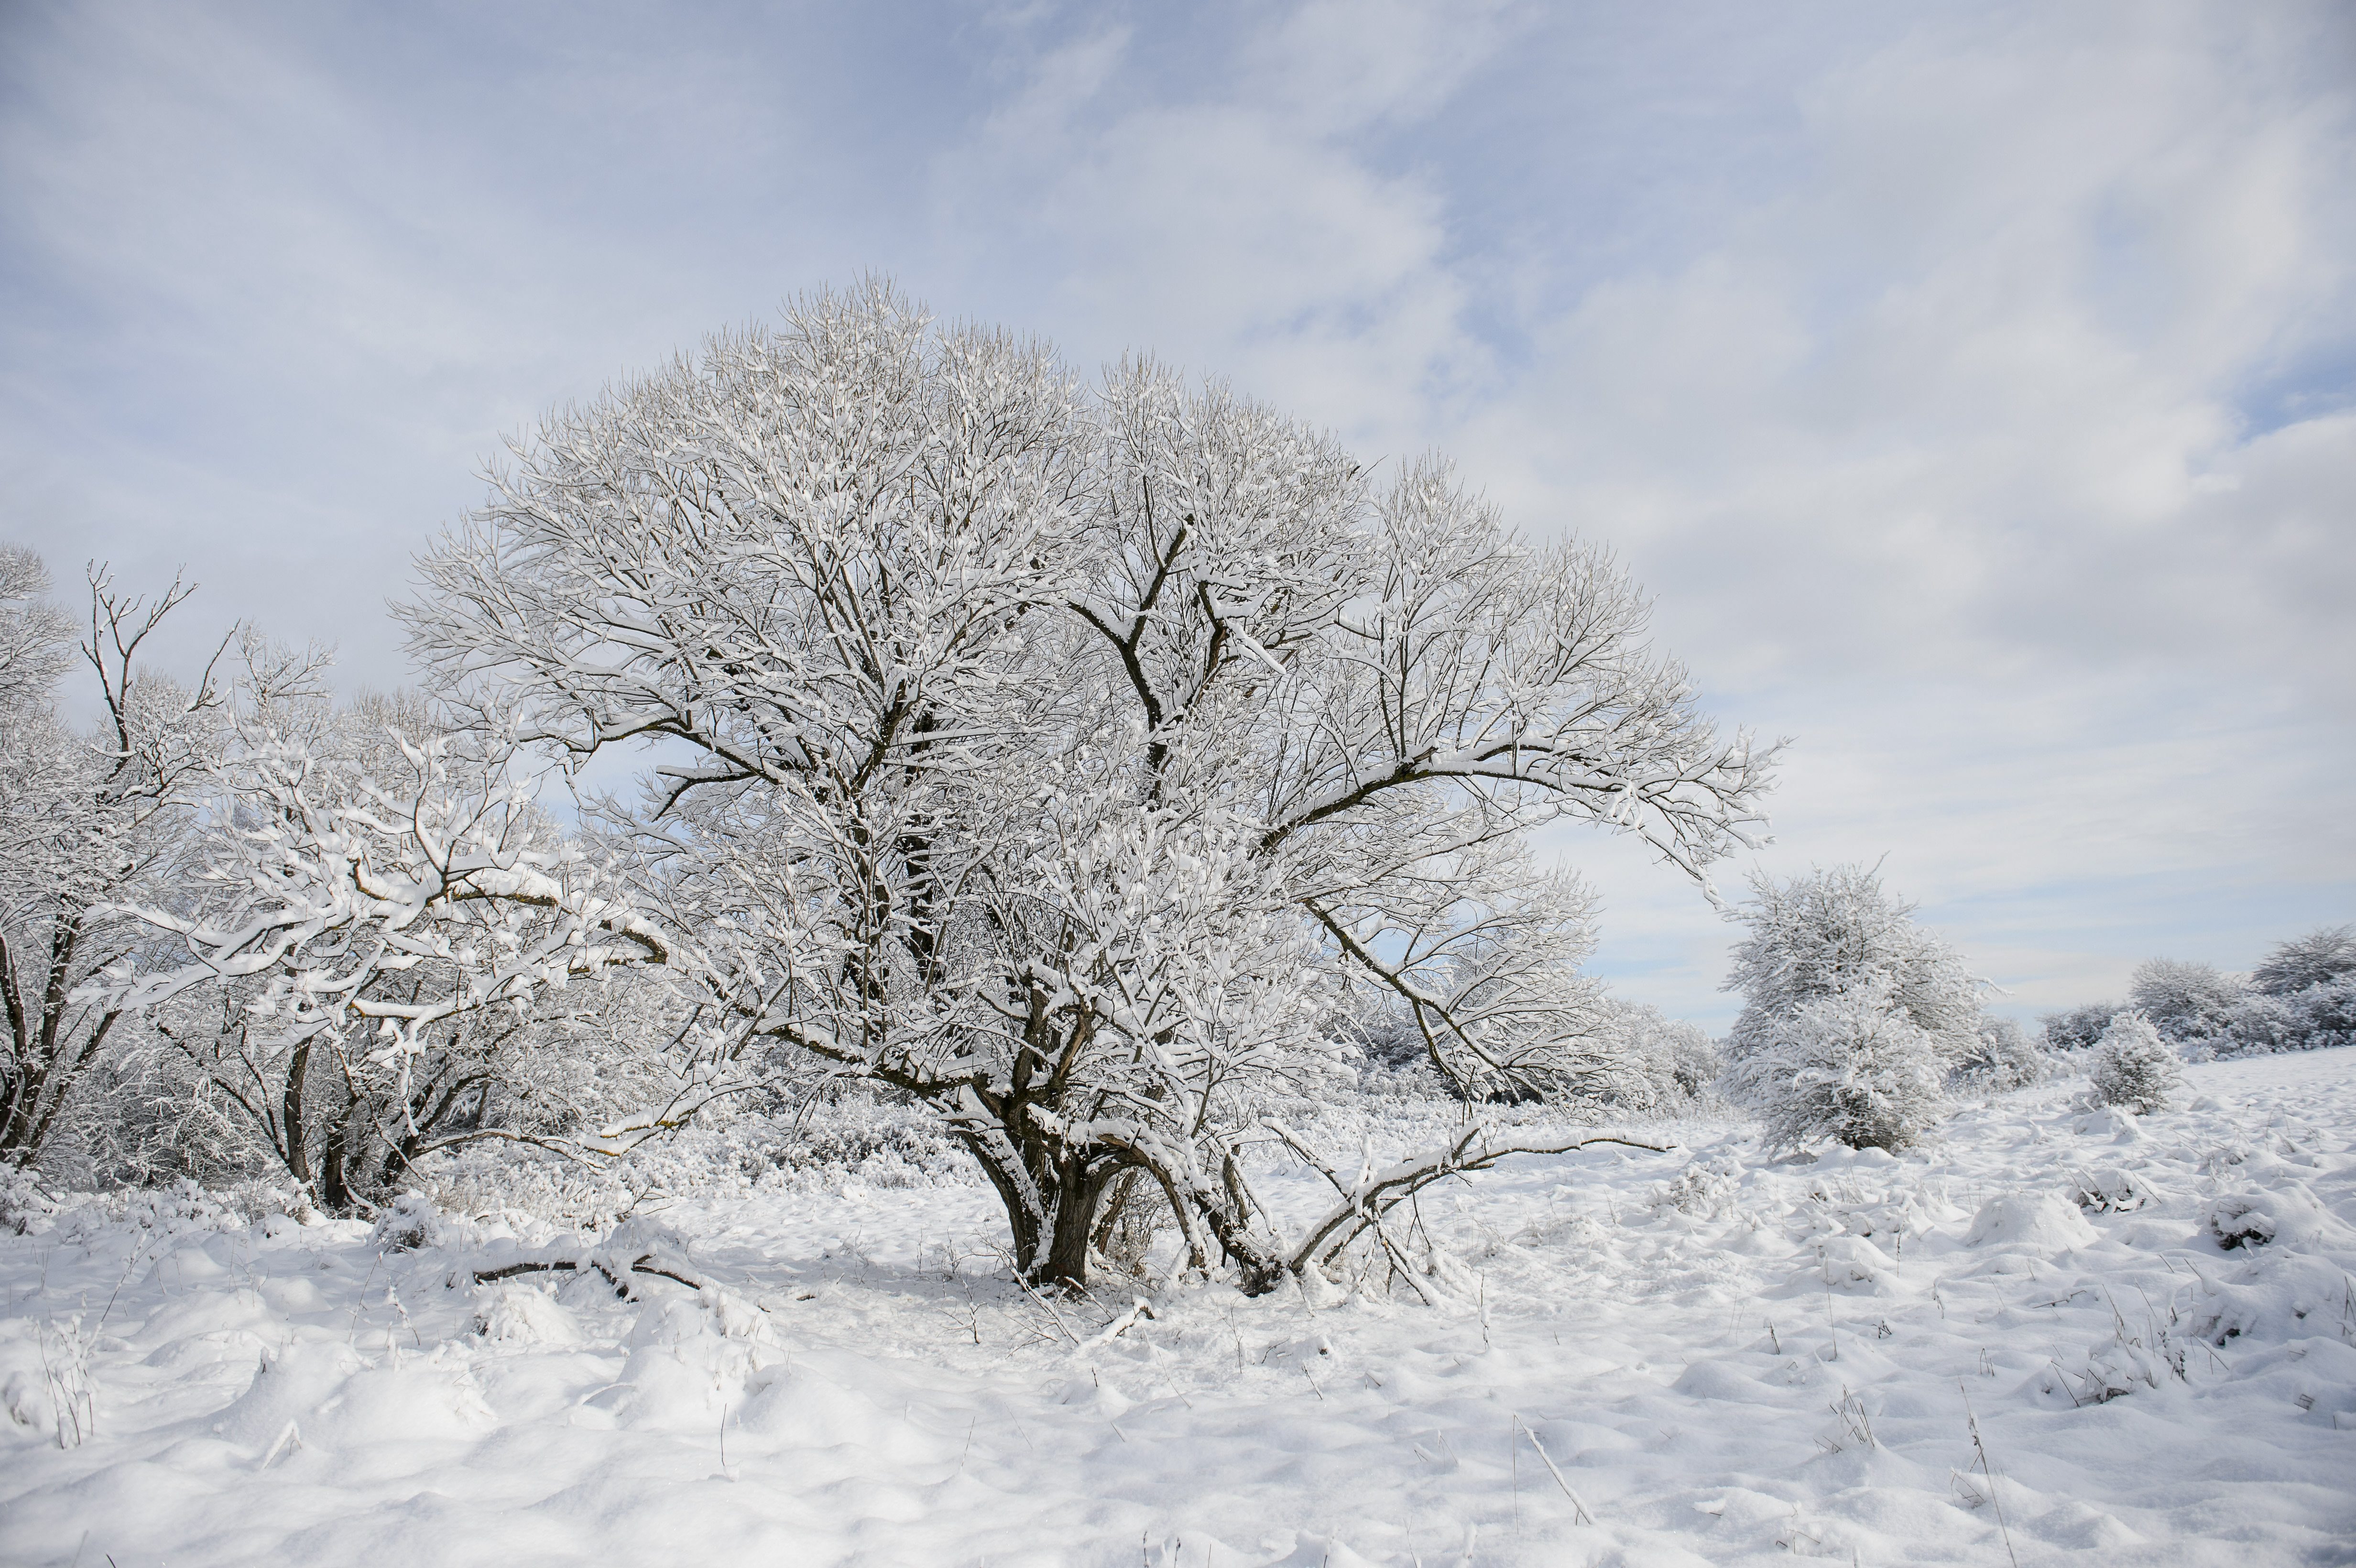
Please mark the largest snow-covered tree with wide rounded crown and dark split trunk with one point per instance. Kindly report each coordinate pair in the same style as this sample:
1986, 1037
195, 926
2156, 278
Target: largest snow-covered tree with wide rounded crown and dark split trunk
1061, 755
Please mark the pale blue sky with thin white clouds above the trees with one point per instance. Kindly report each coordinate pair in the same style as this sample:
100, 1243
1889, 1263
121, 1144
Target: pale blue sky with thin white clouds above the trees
1973, 385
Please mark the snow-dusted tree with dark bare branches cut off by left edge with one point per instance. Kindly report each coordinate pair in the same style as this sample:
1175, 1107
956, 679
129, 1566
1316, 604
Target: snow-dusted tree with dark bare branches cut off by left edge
88, 823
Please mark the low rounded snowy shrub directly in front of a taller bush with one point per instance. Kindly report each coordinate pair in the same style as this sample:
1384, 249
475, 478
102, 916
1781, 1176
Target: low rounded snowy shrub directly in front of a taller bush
1853, 1068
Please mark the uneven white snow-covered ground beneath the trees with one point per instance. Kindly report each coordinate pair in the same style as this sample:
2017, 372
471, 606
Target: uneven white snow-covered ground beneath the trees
1648, 1360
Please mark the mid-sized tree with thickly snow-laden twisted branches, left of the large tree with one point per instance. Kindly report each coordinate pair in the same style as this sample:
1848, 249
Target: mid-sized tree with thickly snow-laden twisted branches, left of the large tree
392, 952
